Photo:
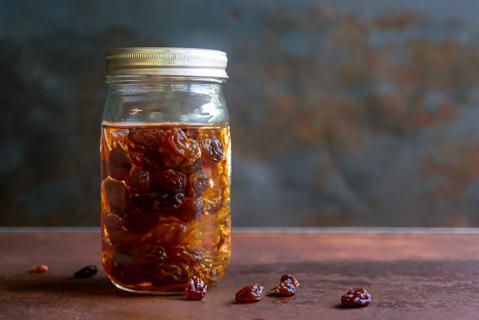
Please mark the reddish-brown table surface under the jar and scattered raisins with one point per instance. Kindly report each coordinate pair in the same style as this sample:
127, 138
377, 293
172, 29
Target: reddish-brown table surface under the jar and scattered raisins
411, 275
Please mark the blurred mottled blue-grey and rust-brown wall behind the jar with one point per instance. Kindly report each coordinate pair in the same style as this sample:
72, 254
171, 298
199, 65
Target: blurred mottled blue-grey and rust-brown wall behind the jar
343, 112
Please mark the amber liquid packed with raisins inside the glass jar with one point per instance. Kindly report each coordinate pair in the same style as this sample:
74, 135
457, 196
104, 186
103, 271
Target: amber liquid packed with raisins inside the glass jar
165, 200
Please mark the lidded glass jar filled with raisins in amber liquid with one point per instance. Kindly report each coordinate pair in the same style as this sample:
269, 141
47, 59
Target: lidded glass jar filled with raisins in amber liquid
166, 168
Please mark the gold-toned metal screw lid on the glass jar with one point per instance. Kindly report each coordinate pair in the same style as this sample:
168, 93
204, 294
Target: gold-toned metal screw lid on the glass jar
178, 62
